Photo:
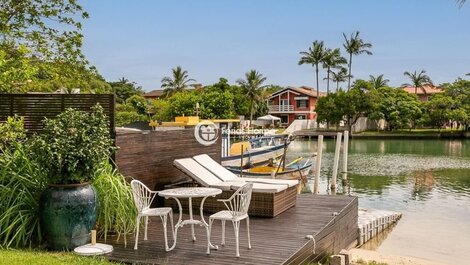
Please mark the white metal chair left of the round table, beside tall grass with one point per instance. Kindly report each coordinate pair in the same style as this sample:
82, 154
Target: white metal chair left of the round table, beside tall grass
143, 198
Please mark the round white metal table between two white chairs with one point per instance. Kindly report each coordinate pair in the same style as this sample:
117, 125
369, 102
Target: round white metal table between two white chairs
189, 193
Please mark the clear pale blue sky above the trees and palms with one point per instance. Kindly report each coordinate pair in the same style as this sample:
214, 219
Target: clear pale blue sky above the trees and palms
143, 40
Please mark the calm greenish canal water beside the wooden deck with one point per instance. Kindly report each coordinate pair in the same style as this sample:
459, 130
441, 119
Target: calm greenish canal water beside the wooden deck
428, 181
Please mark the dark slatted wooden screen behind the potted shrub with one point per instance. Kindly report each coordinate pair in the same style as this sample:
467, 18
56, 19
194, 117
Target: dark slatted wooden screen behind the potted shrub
35, 107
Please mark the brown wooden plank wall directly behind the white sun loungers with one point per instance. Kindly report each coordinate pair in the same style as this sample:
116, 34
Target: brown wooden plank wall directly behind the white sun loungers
148, 155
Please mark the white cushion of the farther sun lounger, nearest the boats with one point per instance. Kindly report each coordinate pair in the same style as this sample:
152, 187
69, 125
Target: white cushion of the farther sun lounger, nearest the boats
226, 175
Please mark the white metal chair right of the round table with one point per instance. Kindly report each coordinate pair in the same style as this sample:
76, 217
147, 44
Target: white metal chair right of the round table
237, 210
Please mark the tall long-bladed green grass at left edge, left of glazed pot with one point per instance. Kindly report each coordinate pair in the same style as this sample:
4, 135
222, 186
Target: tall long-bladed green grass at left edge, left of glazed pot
21, 184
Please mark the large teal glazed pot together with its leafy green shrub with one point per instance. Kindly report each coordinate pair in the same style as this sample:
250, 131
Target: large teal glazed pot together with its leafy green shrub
69, 151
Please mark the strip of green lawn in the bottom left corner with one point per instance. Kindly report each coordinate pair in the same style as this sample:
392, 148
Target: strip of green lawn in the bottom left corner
36, 257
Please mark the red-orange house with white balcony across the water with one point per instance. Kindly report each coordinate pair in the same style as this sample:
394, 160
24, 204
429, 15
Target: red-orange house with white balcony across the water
294, 103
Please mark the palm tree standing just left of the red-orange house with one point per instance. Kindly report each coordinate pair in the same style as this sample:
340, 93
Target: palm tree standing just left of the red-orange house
252, 87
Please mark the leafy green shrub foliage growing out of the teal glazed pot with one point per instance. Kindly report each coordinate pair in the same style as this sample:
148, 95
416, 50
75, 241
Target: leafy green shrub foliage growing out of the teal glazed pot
73, 145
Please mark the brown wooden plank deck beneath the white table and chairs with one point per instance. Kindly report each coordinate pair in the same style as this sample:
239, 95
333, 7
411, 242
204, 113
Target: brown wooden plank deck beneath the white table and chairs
332, 220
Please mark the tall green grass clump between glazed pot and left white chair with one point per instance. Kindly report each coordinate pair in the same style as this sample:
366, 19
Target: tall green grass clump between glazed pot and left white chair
117, 212
